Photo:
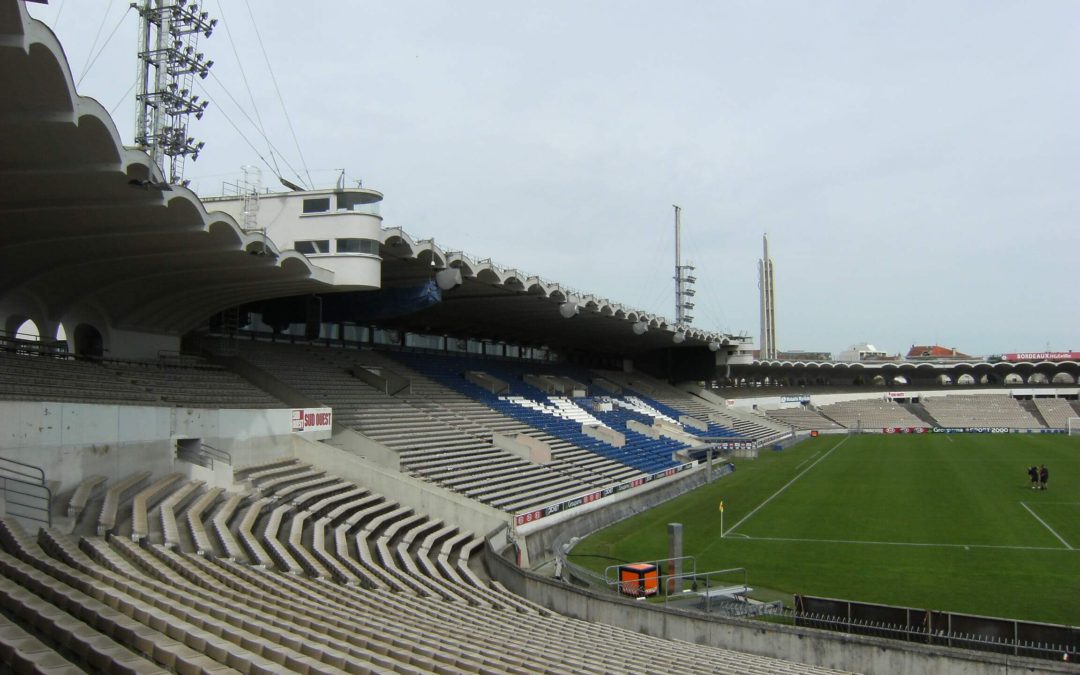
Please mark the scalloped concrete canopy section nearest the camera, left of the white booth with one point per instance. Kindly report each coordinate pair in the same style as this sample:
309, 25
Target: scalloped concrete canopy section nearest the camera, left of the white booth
88, 223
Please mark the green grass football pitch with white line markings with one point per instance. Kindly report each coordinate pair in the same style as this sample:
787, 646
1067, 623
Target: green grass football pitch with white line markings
939, 521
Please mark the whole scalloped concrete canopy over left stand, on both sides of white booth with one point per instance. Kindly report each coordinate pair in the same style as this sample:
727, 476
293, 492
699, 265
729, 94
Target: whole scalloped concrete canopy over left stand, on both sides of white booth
87, 224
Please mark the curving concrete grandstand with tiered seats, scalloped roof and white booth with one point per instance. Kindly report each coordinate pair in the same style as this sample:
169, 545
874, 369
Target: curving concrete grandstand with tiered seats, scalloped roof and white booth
229, 450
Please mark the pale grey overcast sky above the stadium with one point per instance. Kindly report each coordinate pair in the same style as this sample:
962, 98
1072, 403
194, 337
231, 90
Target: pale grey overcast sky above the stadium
916, 165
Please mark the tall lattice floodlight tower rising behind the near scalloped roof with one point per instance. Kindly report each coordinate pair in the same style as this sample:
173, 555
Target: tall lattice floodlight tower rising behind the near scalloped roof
169, 63
